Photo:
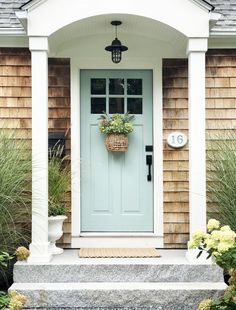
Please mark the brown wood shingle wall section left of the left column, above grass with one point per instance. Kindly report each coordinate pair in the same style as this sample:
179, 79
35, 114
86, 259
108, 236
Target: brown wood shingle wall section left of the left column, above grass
15, 90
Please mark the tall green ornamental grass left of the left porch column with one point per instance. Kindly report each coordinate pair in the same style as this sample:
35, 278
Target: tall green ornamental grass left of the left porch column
15, 200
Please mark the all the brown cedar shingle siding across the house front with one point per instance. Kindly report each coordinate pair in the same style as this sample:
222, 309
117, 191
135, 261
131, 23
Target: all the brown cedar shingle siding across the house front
15, 113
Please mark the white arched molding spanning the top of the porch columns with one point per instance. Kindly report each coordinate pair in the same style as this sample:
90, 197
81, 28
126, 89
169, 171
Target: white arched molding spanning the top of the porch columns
48, 16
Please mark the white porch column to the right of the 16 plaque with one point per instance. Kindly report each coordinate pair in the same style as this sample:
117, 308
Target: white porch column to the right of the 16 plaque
197, 145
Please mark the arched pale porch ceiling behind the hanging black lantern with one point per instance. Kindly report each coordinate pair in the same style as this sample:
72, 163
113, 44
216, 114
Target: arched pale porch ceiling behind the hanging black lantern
139, 33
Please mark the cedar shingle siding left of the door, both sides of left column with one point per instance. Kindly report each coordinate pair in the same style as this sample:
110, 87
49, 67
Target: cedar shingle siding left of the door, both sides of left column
15, 100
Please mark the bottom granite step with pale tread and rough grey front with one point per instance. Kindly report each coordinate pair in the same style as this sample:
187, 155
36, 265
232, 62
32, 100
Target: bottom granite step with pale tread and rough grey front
162, 296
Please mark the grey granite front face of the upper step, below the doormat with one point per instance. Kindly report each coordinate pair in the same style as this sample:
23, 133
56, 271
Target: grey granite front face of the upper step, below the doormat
115, 272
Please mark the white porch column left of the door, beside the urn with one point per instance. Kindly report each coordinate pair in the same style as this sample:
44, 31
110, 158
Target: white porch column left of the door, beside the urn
39, 246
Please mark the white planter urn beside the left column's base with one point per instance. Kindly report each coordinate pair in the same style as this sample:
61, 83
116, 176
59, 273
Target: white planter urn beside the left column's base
55, 232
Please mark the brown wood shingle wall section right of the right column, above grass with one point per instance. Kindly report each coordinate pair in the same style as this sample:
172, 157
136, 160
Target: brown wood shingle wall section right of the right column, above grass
220, 91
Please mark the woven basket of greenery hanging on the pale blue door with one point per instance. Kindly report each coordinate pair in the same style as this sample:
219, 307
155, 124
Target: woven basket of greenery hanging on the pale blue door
117, 127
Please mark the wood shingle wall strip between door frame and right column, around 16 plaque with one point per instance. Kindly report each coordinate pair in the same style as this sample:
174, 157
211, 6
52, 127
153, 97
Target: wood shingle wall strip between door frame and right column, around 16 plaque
175, 118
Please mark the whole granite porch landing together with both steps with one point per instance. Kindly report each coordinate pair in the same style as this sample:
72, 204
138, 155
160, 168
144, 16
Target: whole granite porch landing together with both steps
169, 282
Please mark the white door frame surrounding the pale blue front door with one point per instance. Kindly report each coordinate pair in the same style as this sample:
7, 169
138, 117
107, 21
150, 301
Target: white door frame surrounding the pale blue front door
155, 239
